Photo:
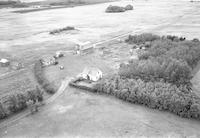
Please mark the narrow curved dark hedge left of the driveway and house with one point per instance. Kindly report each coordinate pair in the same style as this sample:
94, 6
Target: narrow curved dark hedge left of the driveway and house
39, 75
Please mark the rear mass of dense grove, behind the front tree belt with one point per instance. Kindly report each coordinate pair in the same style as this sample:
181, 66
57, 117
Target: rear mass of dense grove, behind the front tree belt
169, 58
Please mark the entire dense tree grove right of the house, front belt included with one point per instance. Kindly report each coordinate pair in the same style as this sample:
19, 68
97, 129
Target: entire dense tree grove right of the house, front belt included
160, 78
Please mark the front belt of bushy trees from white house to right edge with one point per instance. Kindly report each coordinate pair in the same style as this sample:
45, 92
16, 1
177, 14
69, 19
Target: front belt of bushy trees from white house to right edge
157, 95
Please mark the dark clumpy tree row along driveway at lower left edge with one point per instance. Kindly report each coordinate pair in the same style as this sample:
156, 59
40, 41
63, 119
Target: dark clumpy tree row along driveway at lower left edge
17, 102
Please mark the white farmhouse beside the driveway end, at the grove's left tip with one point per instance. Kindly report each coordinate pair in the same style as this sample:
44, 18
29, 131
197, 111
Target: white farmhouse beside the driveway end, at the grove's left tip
93, 74
